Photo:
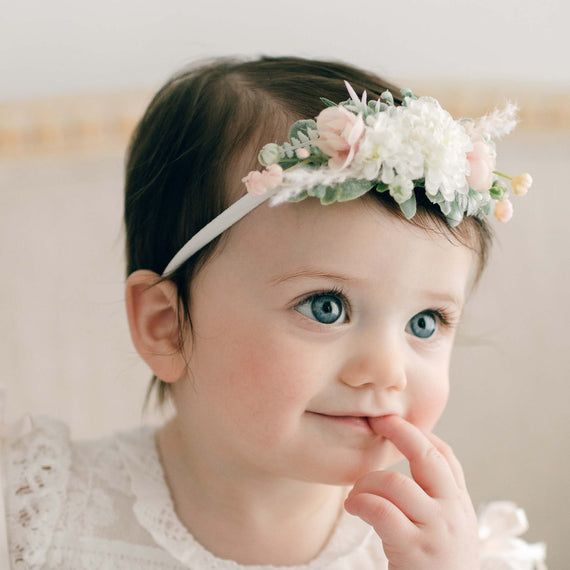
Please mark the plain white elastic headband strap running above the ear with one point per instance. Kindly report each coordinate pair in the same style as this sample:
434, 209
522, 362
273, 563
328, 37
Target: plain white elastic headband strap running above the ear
214, 228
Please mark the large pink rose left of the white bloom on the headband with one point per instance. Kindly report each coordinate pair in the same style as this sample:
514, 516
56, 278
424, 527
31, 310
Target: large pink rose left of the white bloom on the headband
340, 133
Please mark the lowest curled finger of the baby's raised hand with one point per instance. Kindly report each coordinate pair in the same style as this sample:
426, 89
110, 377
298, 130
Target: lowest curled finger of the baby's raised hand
388, 521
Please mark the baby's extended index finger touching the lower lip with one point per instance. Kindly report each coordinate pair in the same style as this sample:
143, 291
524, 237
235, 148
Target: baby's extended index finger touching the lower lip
428, 466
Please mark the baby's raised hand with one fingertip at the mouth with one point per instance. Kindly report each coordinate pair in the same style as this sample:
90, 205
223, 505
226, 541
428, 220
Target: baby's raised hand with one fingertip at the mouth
427, 523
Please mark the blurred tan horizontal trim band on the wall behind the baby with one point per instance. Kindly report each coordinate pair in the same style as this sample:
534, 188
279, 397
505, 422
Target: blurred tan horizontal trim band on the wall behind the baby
99, 123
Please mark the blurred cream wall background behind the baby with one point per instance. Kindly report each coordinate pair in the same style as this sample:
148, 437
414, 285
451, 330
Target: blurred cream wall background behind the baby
76, 76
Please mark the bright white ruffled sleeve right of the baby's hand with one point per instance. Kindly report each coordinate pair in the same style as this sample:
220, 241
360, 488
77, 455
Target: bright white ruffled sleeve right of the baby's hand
500, 525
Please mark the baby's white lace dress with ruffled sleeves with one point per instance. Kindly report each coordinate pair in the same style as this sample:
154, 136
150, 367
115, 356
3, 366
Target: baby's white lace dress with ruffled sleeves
105, 505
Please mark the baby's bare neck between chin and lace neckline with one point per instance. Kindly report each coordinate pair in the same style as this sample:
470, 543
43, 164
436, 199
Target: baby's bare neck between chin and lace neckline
249, 520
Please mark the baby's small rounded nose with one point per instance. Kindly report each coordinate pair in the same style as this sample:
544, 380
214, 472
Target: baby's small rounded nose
377, 360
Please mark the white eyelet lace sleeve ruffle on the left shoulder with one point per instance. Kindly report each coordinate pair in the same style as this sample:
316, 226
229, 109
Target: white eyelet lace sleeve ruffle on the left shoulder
37, 457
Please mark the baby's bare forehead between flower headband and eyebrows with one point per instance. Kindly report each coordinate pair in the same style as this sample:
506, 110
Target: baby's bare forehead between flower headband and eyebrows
358, 239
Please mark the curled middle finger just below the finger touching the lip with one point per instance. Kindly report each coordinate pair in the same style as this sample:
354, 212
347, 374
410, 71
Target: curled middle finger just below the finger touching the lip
400, 490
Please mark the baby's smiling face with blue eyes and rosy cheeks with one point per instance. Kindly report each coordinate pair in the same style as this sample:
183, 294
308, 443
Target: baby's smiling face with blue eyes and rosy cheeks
310, 320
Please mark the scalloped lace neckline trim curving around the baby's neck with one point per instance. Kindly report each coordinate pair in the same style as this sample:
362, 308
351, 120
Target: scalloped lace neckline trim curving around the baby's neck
155, 512
